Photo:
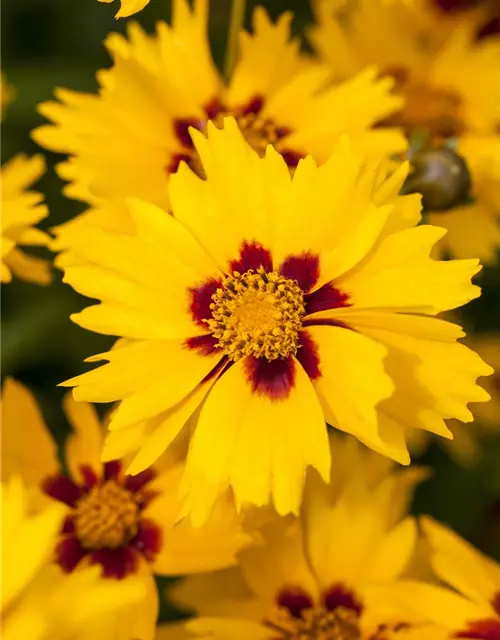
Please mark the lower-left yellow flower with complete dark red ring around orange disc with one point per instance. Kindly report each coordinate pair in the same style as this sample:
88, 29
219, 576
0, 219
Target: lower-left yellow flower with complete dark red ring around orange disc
125, 525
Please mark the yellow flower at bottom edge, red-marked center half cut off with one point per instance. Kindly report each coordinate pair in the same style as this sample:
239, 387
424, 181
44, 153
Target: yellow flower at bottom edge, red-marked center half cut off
335, 568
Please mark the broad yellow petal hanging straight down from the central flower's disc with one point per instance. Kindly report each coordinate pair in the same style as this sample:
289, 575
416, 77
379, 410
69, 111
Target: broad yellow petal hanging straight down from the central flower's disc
259, 446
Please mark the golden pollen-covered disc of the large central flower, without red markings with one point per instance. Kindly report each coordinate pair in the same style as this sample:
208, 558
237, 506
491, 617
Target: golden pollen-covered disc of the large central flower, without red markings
257, 313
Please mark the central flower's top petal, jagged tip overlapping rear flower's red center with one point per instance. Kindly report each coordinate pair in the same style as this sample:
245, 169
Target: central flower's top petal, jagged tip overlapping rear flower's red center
207, 206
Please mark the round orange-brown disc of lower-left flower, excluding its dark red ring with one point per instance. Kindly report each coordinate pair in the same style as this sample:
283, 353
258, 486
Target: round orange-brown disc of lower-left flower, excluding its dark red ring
107, 517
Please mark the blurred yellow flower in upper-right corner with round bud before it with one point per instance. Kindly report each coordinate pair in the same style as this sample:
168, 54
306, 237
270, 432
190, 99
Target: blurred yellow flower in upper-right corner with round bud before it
451, 98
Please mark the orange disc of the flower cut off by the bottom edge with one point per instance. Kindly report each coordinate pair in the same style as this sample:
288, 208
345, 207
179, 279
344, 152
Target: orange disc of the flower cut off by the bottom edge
315, 623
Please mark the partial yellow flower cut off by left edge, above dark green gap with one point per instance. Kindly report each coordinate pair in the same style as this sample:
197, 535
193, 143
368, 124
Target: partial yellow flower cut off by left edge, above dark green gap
21, 209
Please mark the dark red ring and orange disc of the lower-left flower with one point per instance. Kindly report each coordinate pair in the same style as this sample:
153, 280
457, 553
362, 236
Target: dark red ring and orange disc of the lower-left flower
106, 524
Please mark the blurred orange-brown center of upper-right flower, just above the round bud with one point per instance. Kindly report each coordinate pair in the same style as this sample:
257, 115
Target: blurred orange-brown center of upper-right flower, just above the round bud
435, 110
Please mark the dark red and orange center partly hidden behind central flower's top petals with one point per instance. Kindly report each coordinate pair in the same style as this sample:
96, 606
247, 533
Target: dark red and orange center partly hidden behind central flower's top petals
258, 130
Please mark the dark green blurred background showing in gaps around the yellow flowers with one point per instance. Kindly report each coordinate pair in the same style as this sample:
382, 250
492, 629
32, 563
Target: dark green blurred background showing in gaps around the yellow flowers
51, 43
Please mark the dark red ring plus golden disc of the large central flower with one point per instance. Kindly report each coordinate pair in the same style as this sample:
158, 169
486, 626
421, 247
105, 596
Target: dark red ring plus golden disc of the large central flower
261, 313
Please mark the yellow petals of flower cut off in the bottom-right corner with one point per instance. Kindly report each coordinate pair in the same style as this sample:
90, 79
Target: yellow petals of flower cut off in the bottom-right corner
472, 609
